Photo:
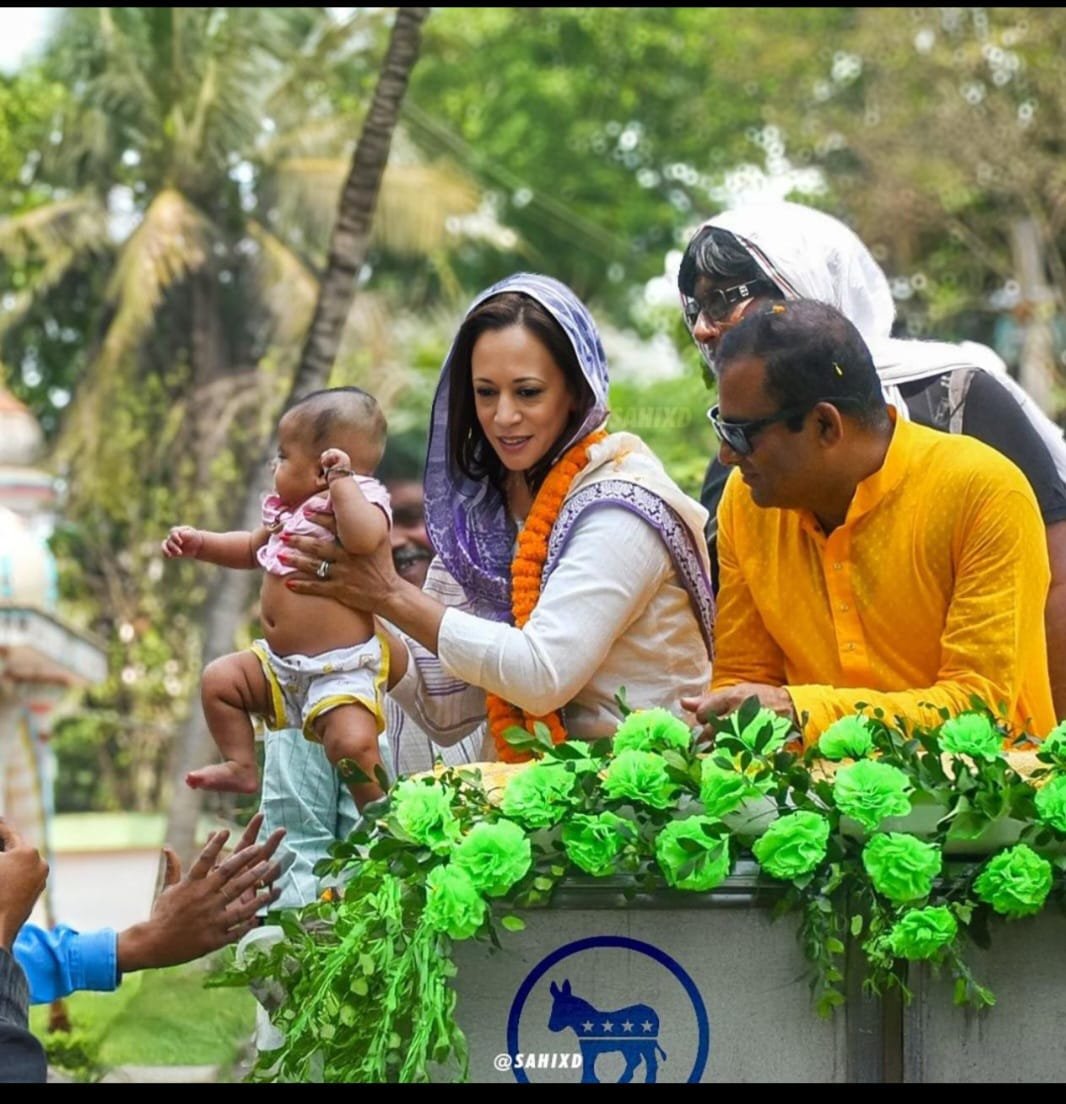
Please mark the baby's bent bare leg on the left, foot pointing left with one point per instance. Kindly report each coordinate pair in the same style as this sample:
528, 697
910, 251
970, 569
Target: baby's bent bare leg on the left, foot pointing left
232, 688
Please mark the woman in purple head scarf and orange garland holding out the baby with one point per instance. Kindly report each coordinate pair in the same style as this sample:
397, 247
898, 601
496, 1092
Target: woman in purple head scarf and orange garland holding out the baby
569, 566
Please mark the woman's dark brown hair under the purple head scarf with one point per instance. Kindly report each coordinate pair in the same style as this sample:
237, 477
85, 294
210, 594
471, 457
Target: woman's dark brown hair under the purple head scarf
468, 449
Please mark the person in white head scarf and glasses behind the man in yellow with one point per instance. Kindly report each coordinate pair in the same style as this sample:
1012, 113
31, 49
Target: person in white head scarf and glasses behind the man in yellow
787, 251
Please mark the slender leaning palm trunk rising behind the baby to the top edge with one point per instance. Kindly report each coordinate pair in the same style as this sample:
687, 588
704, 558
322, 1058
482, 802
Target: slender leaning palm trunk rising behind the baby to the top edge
228, 600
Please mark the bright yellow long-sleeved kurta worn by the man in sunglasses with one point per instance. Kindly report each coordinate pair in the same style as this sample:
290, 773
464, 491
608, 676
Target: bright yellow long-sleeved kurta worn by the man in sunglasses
932, 591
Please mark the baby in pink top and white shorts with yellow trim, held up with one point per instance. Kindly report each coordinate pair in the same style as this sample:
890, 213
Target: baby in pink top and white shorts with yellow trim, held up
322, 667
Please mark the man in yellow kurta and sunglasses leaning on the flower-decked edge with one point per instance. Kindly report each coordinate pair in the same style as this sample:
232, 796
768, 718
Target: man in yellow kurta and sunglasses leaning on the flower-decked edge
866, 560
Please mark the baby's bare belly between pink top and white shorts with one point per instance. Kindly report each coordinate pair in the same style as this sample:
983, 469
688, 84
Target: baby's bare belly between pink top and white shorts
307, 625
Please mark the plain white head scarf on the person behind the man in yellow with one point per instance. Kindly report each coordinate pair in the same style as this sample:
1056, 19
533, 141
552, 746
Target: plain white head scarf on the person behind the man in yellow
812, 256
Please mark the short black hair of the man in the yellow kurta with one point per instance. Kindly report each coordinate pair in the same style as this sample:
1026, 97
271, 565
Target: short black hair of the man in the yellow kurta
813, 354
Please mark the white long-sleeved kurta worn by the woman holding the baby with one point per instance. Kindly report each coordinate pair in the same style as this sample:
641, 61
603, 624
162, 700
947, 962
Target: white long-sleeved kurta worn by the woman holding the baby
613, 614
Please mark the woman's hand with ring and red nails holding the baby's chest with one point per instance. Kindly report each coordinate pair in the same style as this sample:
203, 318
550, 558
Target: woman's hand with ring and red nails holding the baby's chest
325, 569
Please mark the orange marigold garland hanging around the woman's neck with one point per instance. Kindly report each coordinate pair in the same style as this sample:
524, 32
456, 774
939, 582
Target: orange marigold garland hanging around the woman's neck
527, 570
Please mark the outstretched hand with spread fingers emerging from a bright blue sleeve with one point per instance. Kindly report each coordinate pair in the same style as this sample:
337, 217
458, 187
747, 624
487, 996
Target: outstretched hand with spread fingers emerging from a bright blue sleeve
212, 906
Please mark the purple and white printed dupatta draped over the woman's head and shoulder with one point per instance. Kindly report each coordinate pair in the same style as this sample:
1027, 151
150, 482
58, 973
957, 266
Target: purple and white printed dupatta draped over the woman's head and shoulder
468, 521
